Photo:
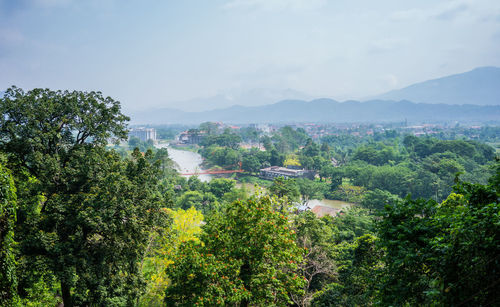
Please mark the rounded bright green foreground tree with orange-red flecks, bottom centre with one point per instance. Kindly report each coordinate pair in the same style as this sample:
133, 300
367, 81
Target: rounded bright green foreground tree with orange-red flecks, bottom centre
248, 256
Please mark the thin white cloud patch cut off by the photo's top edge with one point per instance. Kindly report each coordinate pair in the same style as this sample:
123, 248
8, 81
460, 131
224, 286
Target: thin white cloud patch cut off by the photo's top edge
275, 5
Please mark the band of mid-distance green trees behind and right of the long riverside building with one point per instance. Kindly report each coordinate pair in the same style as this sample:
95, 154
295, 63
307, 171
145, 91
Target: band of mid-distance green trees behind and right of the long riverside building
349, 167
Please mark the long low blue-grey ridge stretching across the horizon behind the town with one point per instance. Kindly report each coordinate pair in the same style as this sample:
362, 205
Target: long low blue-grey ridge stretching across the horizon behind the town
325, 110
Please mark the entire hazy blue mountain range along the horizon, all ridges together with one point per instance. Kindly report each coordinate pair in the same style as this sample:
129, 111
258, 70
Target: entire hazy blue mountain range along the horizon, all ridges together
472, 96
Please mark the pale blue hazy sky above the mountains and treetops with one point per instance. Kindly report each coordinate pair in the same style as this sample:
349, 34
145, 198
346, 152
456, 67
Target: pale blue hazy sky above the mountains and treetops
152, 53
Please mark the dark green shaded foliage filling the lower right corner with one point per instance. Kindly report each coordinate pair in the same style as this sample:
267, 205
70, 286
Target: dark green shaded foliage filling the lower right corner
443, 254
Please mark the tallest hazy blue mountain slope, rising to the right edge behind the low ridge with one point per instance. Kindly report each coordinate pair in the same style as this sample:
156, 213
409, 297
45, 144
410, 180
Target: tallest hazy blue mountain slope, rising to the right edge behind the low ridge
480, 86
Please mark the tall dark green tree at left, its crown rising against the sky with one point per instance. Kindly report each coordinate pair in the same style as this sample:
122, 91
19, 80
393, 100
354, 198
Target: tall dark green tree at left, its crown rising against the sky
92, 221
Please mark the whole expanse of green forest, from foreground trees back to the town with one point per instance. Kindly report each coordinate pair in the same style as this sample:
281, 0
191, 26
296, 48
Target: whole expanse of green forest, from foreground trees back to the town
86, 223
